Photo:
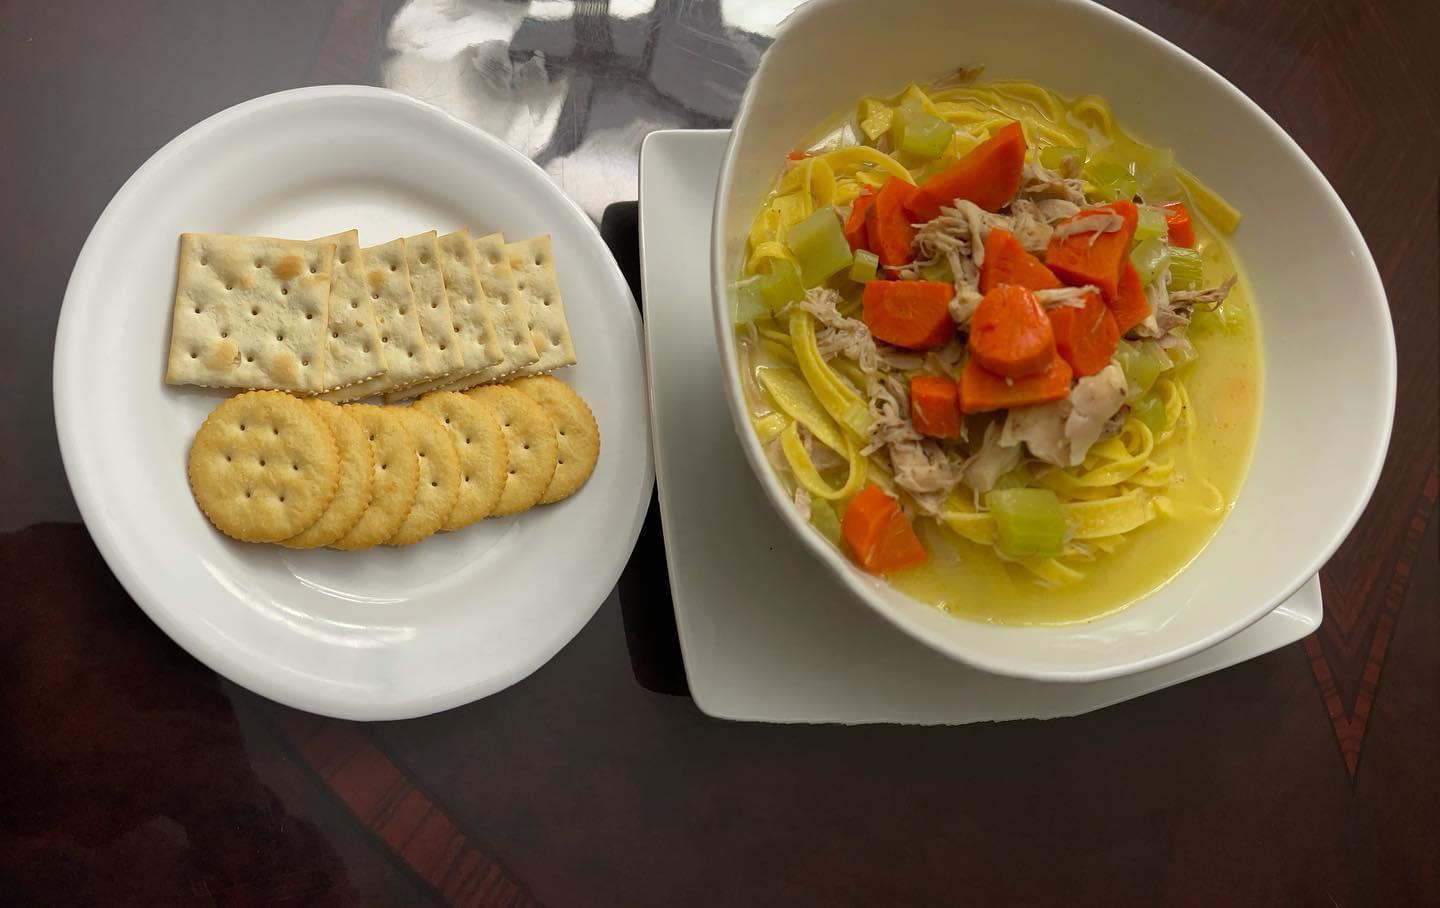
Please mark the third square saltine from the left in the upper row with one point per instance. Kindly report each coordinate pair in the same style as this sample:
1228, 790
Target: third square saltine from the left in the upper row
407, 358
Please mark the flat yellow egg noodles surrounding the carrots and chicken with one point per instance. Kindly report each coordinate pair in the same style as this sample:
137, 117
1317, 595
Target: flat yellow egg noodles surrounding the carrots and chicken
811, 412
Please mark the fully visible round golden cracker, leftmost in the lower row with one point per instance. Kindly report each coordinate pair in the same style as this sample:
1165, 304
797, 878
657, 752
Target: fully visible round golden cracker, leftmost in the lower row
264, 467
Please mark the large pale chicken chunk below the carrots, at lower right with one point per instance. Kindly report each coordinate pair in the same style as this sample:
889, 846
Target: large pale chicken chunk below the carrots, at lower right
1062, 432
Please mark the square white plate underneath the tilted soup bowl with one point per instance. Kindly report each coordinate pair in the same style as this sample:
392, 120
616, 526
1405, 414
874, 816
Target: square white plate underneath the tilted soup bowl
767, 632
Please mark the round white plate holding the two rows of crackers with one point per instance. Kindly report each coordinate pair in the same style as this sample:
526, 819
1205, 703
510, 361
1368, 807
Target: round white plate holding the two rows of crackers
372, 635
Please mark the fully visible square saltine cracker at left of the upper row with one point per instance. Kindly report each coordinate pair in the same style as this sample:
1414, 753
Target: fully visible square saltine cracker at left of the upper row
250, 313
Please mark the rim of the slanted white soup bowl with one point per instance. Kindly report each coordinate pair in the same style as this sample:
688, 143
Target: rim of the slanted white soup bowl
866, 588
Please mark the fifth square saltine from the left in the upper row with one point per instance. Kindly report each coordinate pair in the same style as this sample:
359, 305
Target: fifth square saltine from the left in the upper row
490, 343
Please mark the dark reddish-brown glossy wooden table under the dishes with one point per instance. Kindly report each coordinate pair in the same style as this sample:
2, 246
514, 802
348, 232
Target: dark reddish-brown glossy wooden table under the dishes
133, 775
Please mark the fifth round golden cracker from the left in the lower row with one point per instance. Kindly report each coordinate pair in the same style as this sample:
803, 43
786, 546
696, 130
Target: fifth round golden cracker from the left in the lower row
485, 457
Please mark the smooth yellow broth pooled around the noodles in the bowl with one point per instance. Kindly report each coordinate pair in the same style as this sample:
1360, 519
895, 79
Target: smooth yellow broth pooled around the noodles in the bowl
1225, 389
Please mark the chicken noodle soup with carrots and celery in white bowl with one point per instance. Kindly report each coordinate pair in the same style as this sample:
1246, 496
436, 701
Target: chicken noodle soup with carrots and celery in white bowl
1000, 352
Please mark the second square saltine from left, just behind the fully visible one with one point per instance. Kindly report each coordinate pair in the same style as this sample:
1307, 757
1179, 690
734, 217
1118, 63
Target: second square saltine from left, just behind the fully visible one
354, 352
